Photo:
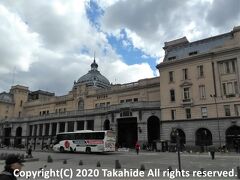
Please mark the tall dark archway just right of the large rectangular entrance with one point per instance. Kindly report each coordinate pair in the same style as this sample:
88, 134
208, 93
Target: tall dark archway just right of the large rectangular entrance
153, 127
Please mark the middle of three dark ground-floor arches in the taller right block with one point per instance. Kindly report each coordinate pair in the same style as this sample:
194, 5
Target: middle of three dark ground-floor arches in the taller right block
203, 137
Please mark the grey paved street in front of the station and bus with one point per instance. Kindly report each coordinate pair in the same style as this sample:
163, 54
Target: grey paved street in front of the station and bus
129, 160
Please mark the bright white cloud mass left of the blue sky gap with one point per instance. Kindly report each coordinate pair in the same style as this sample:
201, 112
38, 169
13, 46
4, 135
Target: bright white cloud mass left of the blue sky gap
52, 44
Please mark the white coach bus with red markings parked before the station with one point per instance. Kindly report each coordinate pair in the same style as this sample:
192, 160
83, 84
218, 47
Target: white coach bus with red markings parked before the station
85, 141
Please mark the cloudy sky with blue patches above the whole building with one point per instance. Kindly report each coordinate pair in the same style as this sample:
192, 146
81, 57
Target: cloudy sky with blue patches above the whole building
47, 44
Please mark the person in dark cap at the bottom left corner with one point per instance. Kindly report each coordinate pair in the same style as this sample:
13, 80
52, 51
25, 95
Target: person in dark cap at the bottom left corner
12, 163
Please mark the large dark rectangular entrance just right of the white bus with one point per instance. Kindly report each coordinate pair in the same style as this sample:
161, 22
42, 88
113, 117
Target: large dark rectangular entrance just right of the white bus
127, 132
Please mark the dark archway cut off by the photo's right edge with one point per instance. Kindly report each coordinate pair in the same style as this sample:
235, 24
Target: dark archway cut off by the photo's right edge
233, 137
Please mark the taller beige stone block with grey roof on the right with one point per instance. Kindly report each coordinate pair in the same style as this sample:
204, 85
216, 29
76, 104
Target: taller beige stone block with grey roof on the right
200, 90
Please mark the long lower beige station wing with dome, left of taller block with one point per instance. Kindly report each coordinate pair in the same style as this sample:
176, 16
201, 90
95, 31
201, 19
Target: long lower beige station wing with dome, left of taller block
92, 103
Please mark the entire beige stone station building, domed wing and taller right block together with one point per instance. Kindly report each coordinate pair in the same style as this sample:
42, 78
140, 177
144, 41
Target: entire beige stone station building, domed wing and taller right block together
196, 97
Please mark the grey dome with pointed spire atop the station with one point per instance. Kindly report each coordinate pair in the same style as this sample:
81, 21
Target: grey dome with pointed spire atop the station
94, 78
